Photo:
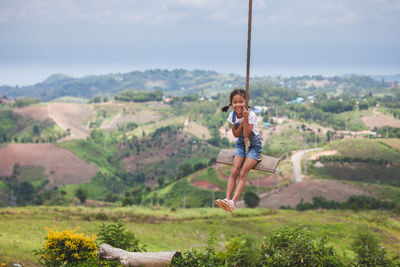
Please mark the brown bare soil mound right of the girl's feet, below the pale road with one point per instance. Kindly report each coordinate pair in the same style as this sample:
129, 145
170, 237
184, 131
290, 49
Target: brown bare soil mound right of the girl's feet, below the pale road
307, 189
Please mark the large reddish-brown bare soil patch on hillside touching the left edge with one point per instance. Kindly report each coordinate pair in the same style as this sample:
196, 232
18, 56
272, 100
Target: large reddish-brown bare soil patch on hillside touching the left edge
61, 166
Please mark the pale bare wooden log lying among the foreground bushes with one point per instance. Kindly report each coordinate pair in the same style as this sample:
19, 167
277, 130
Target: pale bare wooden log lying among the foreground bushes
148, 259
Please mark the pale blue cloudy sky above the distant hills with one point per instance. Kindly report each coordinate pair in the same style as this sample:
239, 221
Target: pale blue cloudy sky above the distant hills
289, 37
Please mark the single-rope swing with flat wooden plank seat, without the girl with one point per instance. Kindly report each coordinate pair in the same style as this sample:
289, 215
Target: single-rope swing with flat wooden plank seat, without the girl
225, 156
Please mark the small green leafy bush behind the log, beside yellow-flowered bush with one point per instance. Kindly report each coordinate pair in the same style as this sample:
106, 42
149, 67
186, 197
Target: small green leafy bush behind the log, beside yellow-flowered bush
116, 236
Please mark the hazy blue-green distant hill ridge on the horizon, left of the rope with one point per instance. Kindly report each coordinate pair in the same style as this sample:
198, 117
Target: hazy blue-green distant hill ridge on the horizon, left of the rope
172, 82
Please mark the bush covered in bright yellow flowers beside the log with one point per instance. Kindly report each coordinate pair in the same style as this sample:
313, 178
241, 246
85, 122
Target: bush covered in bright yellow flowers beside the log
67, 247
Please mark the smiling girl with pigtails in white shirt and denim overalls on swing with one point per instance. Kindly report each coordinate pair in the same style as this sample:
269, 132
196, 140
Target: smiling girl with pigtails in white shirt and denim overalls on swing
244, 124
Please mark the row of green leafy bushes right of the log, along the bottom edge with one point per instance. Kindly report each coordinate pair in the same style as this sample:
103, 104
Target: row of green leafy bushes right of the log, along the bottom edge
289, 247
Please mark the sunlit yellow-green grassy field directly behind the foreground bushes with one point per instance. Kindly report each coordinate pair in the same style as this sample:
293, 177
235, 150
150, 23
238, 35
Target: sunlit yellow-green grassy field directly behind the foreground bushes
182, 229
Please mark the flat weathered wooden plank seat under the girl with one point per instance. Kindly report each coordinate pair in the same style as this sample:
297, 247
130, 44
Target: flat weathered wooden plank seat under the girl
266, 163
